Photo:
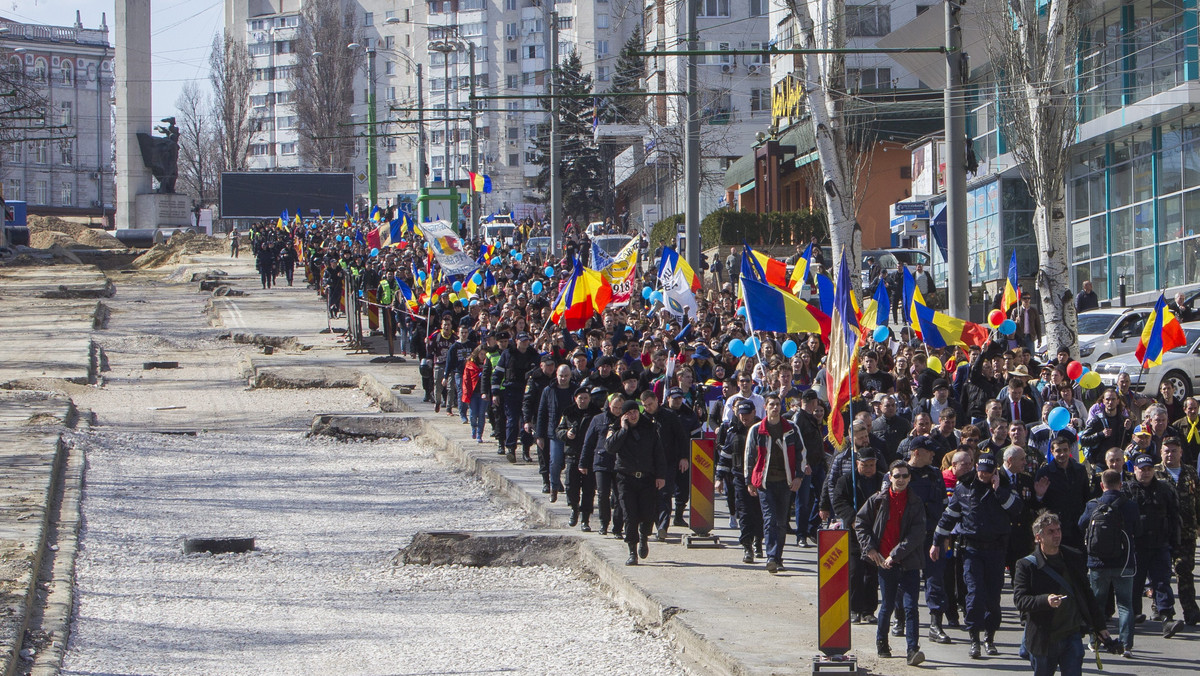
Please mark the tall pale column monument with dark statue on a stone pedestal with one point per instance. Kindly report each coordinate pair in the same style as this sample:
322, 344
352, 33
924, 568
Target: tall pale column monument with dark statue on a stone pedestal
139, 205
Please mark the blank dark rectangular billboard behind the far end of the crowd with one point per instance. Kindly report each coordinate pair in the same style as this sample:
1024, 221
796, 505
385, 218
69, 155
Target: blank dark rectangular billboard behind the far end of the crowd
266, 195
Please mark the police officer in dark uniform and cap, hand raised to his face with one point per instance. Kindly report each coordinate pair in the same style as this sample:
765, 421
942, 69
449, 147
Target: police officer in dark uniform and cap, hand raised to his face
982, 509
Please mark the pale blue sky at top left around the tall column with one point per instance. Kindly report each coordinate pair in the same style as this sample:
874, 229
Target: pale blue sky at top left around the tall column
182, 32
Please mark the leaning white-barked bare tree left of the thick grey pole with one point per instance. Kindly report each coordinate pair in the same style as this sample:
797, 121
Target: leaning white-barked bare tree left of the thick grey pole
843, 149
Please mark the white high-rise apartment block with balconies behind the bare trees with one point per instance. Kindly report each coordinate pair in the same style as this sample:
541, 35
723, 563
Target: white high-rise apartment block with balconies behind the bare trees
511, 41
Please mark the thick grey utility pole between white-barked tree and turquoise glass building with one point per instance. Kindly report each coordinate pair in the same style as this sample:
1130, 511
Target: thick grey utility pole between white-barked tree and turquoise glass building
956, 166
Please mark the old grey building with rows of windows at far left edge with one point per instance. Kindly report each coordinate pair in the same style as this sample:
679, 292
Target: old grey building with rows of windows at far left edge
65, 169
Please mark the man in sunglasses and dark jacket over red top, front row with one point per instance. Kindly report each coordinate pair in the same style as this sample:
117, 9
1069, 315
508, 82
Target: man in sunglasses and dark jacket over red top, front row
891, 531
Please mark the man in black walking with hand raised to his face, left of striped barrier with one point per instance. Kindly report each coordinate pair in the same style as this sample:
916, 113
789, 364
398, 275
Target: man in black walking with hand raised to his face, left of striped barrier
641, 469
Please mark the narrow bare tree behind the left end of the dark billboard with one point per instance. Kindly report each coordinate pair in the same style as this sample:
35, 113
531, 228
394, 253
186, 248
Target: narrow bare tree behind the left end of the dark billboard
230, 73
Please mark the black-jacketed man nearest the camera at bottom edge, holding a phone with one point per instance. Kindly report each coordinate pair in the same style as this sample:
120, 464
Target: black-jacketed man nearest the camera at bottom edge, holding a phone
1057, 601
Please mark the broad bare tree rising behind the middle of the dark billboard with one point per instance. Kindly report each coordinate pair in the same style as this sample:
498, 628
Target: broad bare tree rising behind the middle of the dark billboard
325, 86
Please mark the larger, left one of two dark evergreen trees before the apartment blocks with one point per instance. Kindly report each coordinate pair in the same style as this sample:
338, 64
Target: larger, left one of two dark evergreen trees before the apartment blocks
581, 169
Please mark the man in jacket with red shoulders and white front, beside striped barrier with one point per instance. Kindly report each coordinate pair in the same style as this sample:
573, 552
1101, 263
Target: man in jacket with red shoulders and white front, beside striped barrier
775, 468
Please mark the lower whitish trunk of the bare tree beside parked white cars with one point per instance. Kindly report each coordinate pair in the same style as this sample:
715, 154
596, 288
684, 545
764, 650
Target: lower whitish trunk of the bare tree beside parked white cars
1058, 307
